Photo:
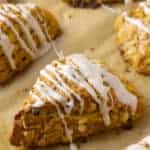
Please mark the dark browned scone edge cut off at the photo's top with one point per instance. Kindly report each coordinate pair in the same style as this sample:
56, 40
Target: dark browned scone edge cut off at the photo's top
90, 3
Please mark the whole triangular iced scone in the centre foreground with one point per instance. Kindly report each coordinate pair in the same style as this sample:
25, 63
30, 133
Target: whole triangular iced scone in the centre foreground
72, 99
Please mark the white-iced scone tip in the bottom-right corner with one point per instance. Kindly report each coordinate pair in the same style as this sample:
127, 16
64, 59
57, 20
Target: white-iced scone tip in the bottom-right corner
144, 144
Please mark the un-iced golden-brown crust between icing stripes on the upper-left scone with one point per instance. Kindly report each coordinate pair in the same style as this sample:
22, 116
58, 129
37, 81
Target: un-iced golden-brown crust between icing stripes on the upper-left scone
20, 56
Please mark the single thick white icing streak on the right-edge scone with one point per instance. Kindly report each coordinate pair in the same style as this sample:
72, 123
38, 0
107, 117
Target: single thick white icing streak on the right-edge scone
136, 22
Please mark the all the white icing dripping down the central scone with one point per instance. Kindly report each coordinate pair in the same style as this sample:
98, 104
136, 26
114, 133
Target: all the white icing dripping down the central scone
87, 75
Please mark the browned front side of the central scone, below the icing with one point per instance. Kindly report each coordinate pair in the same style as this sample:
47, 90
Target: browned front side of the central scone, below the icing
42, 130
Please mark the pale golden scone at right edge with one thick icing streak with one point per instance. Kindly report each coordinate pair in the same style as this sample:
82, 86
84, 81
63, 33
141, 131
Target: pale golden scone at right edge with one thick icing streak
133, 37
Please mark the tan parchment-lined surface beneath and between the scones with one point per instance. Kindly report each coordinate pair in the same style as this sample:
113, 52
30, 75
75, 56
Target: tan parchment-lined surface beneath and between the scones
90, 32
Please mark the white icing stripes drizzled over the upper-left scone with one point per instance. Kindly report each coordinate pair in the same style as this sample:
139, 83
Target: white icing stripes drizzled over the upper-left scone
6, 14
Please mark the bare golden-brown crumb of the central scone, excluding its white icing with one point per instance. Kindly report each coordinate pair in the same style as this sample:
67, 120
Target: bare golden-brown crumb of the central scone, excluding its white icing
39, 127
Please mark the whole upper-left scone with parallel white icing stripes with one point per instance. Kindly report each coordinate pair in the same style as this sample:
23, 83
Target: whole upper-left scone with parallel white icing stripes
26, 31
